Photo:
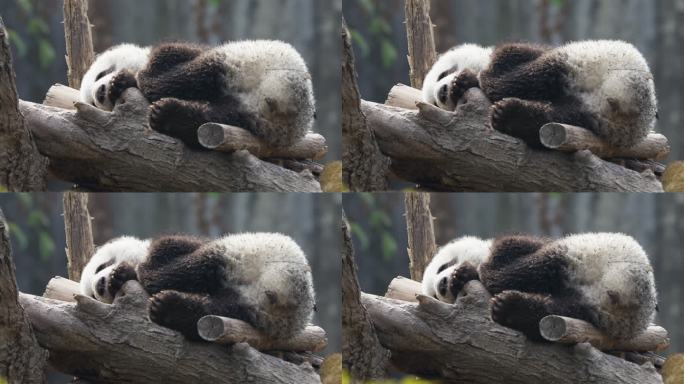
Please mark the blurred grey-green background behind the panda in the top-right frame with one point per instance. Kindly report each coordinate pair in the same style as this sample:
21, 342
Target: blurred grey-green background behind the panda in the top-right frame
655, 27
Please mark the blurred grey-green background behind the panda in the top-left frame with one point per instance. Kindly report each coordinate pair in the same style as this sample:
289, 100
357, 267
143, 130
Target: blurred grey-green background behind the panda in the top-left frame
37, 38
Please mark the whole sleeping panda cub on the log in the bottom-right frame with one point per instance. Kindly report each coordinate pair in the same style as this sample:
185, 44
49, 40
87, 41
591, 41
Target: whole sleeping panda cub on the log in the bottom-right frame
603, 278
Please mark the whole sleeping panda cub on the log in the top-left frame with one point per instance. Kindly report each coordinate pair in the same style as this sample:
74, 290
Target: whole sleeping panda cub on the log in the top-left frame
263, 86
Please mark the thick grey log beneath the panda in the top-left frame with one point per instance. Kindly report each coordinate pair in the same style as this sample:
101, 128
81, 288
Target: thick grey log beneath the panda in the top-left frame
114, 151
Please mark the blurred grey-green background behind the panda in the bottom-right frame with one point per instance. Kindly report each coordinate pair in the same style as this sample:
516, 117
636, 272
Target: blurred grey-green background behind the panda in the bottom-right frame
655, 221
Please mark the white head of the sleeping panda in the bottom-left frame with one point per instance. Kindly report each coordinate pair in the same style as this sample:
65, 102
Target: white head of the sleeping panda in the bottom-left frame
95, 275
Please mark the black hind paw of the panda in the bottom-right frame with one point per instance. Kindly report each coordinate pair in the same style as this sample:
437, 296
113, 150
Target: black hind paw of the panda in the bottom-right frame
520, 310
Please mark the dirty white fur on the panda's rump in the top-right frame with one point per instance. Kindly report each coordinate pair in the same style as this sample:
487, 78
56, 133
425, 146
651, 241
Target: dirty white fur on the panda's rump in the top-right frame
614, 82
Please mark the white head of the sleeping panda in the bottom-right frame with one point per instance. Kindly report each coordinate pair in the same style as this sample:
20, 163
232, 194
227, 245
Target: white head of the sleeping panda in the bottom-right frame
437, 275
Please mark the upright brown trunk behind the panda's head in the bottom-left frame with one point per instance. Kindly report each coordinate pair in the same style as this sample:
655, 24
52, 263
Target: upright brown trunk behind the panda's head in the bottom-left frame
79, 233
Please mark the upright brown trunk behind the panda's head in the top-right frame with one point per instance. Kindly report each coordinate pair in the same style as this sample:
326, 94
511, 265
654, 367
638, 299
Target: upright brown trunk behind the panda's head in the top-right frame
421, 40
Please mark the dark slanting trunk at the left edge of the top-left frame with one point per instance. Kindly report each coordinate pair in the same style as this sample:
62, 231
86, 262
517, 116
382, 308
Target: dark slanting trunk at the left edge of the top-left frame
22, 168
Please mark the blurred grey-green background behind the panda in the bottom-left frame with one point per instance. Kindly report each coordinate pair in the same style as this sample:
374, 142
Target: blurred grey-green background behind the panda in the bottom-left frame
38, 240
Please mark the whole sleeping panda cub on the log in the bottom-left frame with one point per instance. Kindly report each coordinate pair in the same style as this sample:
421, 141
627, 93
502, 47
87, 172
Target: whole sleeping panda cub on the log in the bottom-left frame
261, 278
